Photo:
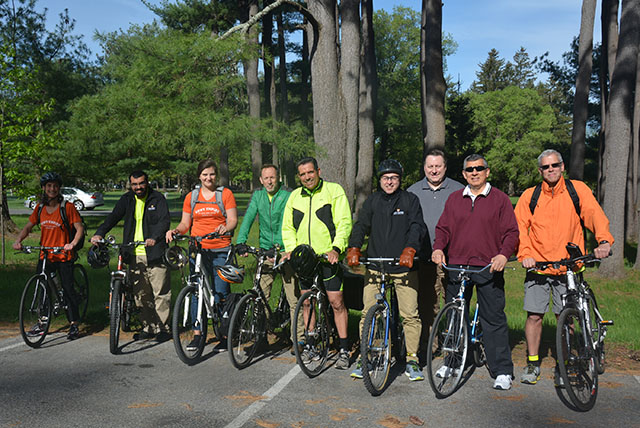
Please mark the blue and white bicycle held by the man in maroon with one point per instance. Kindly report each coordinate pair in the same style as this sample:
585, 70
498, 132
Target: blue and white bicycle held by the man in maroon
449, 341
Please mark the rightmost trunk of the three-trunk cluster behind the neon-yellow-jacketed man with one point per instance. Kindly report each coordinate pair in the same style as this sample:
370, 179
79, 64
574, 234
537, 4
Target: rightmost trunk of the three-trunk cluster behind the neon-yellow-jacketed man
367, 107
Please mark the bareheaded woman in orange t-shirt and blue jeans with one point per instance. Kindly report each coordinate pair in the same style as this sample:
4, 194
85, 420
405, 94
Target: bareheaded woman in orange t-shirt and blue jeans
208, 218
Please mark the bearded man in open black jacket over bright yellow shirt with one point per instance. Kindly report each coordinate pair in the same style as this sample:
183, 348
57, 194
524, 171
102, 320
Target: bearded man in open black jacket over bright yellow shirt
146, 218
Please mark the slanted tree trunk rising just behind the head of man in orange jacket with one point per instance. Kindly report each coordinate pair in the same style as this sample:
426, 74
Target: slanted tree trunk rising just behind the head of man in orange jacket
581, 99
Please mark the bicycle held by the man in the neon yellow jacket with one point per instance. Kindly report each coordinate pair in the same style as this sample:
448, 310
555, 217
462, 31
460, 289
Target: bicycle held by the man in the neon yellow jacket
319, 328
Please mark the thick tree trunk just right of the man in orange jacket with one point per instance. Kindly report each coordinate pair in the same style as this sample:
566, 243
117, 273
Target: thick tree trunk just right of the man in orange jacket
618, 133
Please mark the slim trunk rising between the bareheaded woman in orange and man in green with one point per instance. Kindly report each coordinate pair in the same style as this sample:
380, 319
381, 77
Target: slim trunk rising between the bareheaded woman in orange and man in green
253, 94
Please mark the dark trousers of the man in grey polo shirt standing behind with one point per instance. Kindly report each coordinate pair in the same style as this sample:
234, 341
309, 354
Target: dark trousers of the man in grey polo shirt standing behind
430, 294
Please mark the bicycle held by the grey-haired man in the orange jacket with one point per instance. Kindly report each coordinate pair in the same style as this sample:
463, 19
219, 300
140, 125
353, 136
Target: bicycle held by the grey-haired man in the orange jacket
580, 331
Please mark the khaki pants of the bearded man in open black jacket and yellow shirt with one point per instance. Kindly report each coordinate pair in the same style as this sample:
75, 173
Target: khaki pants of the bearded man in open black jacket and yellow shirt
152, 288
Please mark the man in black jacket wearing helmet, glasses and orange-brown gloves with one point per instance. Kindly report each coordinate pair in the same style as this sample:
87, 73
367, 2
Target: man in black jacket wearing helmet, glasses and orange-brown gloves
393, 220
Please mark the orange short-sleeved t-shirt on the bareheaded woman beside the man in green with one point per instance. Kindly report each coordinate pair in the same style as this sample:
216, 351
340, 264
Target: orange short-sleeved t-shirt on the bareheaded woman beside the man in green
207, 217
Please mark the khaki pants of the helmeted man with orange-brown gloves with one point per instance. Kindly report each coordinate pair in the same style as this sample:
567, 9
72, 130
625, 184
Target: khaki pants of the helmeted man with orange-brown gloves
407, 290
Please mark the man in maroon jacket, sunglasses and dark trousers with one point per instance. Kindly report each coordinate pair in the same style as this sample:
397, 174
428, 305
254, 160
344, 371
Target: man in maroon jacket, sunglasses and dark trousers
478, 227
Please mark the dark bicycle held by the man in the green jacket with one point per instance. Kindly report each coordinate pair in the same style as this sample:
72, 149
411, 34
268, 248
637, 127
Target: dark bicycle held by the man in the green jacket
253, 317
